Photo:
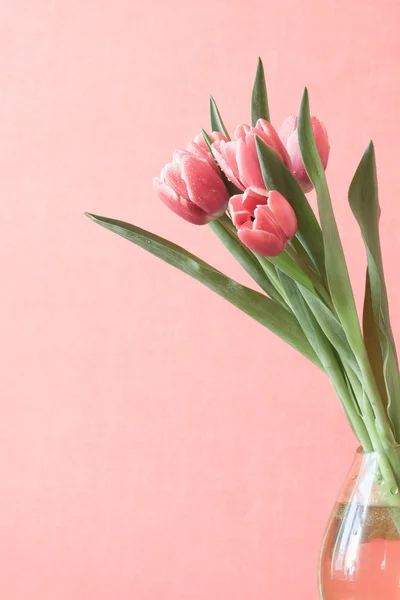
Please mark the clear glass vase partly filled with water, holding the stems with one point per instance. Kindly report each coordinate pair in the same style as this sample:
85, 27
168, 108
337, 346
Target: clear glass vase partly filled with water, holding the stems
360, 556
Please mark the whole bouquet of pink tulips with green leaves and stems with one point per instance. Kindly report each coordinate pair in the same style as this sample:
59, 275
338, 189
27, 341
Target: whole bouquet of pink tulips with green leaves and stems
251, 191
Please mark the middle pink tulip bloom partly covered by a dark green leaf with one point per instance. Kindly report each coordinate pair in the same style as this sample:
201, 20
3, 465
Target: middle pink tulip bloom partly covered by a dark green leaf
239, 159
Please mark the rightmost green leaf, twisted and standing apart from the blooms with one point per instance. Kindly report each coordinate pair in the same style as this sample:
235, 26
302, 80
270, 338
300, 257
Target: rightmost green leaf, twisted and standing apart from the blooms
364, 202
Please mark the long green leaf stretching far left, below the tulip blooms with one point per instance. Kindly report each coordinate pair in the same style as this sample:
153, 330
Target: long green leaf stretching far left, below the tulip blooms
256, 305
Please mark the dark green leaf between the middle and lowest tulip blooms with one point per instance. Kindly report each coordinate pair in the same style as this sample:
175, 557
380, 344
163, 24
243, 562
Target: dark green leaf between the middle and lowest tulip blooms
277, 177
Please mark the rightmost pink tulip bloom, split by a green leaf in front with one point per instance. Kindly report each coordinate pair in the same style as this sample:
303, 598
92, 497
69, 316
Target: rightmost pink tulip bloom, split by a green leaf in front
289, 137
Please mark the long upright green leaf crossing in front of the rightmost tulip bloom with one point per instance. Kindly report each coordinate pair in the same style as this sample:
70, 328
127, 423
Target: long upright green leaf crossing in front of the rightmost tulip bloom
336, 268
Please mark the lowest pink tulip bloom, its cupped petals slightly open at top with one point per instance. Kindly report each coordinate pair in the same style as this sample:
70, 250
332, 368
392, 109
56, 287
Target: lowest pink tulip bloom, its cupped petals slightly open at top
265, 221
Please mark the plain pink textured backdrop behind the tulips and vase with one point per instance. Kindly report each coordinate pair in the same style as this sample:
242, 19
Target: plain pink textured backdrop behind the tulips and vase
155, 442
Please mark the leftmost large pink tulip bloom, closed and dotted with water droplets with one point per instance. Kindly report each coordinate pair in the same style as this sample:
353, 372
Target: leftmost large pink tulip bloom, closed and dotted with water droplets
192, 188
